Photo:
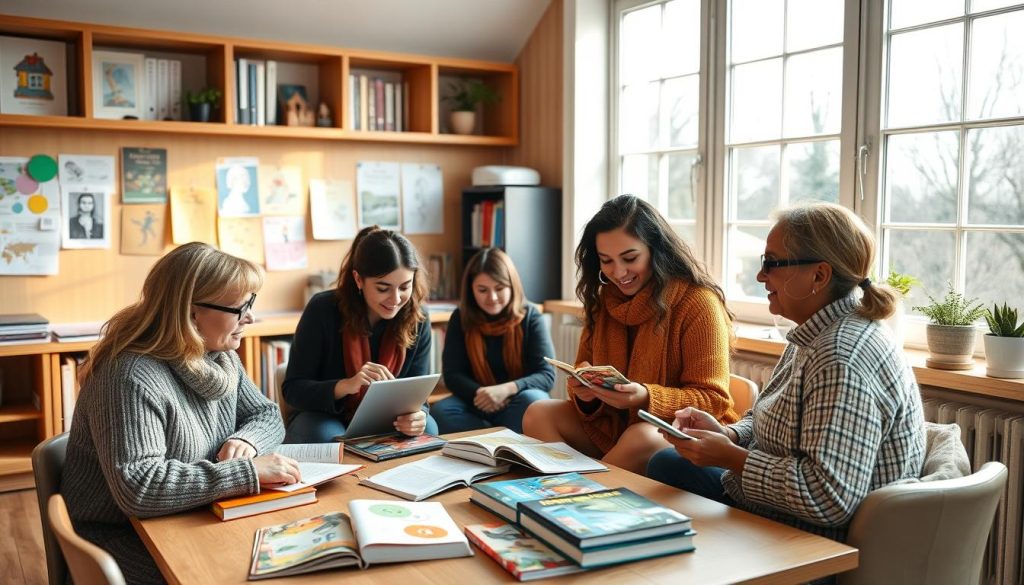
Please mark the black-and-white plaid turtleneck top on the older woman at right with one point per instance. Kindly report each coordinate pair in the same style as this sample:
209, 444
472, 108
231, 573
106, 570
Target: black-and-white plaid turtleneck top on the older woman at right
840, 417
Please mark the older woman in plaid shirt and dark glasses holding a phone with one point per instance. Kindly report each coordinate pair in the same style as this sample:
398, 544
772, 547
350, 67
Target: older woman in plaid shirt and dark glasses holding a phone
842, 413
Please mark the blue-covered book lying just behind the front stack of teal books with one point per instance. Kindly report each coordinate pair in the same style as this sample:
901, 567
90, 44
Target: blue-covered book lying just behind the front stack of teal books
502, 498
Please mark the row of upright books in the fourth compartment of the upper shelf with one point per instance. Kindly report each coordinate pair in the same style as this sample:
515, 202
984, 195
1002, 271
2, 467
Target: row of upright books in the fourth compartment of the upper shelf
378, 104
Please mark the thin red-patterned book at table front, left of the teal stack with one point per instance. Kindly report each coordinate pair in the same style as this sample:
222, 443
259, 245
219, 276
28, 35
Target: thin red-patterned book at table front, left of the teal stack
526, 558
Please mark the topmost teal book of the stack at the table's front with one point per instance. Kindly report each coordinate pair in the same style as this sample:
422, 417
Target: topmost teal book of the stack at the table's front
606, 518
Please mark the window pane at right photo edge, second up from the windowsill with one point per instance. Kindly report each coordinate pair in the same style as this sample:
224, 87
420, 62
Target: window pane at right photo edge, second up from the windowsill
996, 176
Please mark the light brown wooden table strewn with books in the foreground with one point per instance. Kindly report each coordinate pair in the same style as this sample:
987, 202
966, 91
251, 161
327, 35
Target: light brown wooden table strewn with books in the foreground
733, 547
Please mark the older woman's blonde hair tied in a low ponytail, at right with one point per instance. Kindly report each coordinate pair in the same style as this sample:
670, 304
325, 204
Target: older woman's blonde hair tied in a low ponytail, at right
835, 235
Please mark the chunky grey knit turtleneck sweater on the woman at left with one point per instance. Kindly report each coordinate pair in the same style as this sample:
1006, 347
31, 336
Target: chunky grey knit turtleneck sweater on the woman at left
145, 441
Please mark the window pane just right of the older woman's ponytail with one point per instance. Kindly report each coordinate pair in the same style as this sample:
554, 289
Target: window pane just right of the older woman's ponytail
928, 256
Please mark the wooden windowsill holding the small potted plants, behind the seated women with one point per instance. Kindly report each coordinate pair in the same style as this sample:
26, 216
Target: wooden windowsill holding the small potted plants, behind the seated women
759, 340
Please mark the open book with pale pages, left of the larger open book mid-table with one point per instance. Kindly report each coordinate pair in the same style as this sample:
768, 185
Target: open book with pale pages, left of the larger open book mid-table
431, 476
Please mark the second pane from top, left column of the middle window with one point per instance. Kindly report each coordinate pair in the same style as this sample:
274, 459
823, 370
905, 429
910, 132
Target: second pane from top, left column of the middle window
757, 102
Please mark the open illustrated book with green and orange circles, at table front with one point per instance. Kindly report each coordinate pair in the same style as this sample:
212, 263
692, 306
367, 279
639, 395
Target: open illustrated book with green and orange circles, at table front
376, 531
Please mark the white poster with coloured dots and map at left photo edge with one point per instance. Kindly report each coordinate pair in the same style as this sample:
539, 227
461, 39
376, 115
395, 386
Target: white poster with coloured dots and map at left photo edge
30, 218
